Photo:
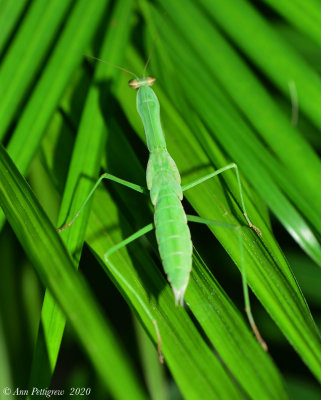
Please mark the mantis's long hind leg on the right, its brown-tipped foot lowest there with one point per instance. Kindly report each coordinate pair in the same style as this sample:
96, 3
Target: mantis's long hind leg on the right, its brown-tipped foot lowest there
194, 218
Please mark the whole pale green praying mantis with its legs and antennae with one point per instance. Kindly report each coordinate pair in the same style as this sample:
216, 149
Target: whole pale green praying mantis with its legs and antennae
166, 193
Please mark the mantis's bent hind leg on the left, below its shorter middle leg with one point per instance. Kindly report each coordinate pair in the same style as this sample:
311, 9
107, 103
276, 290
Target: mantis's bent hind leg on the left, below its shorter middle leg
128, 286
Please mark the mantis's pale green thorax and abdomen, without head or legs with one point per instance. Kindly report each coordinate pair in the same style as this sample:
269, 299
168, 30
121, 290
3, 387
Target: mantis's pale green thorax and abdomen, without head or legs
164, 182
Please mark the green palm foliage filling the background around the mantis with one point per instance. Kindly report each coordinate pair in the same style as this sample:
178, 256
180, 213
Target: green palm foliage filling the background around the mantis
230, 77
